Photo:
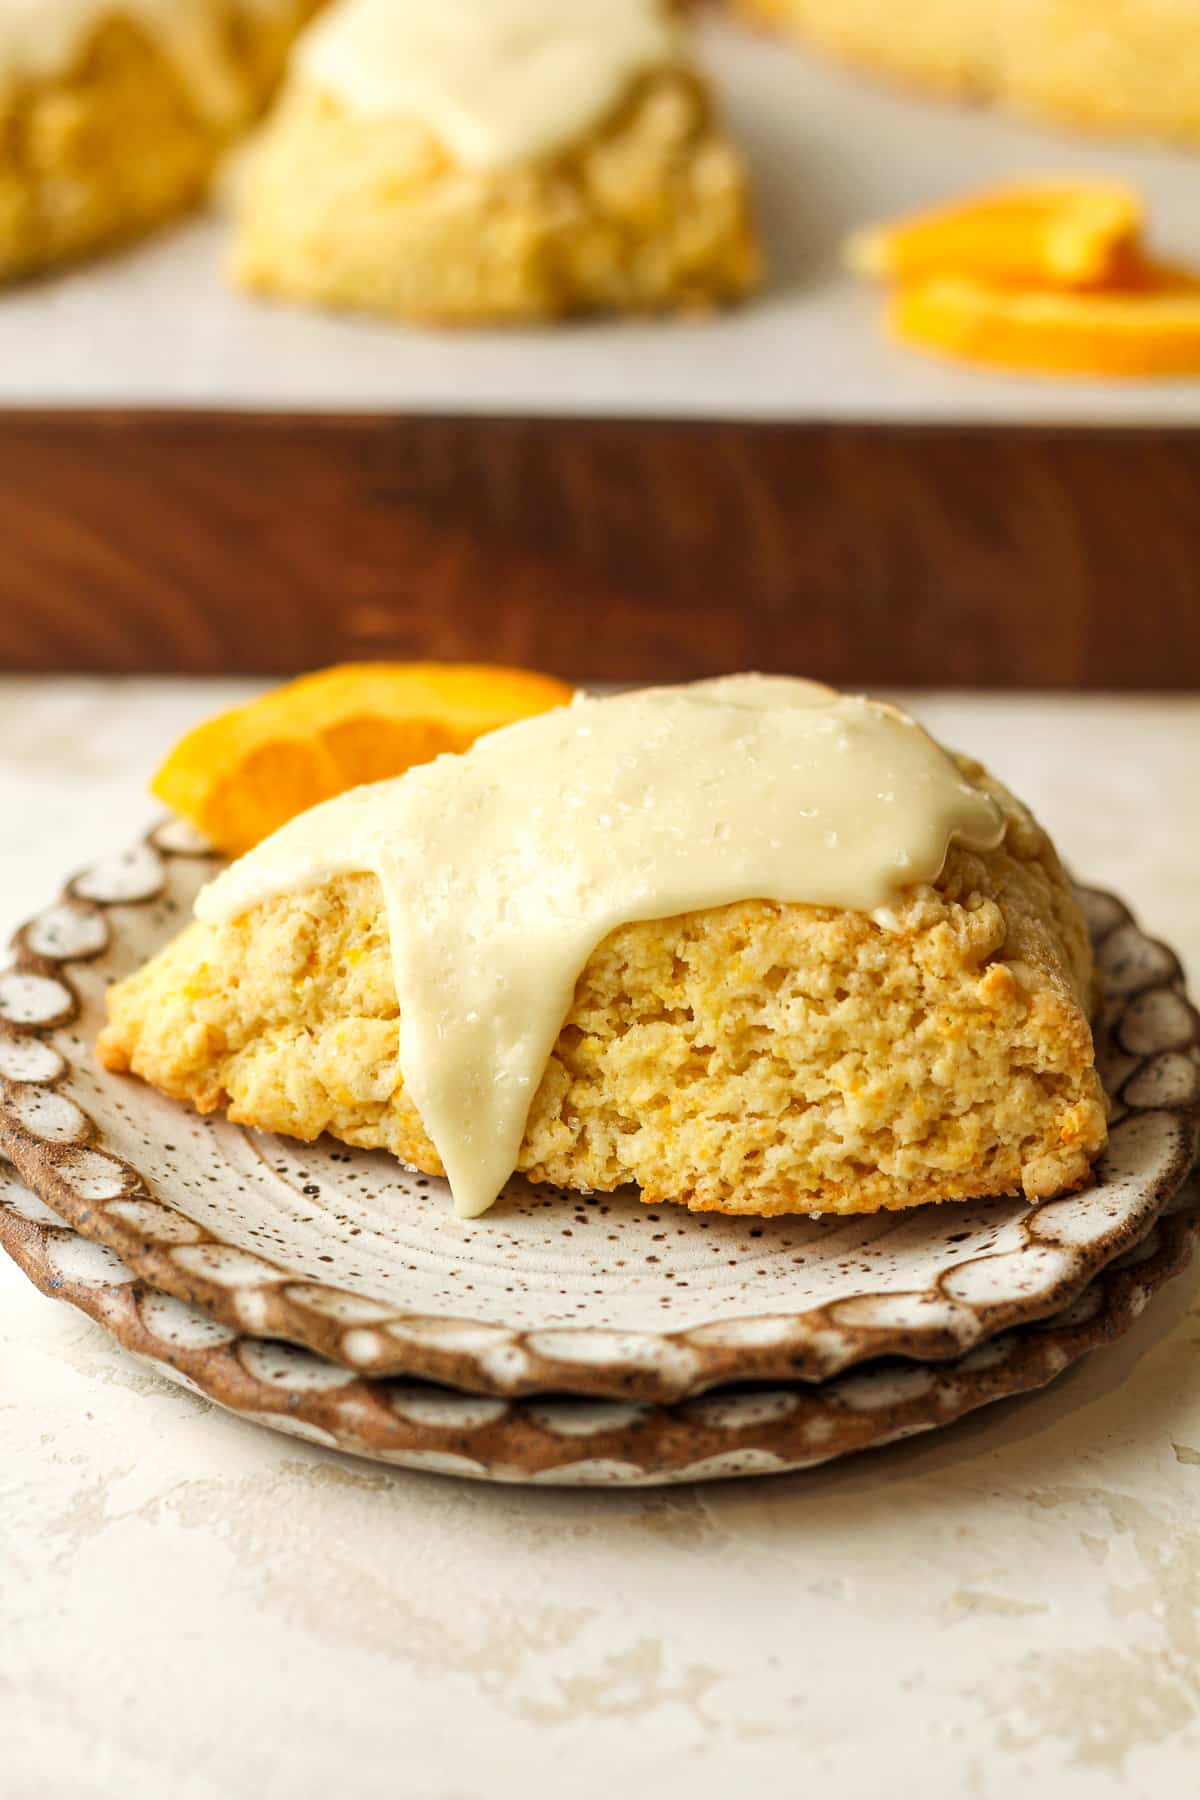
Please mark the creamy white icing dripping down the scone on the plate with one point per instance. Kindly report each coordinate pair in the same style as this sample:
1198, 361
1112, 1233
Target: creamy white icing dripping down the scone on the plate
505, 868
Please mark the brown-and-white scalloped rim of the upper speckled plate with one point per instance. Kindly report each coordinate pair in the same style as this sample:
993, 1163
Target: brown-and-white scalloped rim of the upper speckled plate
1149, 1016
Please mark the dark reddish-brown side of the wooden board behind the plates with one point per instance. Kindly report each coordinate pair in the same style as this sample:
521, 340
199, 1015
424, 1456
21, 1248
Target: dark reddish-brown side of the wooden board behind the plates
604, 550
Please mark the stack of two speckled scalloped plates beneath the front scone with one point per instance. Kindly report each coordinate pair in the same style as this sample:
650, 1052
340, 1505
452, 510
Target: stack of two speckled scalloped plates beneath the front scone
564, 1338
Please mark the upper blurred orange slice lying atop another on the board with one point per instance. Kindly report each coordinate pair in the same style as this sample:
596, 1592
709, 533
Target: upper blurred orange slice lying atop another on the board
1061, 235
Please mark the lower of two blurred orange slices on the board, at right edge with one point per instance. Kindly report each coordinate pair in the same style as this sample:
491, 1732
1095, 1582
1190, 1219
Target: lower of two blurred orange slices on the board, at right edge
1149, 332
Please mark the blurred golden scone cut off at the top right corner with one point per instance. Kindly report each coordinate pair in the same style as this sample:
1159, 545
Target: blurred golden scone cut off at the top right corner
1127, 66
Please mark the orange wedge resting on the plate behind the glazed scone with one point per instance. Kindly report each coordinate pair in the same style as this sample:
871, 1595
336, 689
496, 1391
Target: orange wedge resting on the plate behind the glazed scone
246, 773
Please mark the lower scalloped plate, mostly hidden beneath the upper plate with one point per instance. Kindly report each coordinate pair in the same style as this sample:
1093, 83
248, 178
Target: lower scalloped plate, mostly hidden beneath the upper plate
578, 1441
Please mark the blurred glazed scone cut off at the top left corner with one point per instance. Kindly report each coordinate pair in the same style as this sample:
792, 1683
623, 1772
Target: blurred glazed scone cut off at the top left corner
114, 112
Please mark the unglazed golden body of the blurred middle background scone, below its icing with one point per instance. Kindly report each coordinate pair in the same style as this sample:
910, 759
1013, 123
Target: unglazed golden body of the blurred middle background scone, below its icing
645, 213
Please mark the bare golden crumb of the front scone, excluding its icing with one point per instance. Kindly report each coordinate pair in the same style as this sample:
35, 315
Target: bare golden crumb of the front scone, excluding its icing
751, 1059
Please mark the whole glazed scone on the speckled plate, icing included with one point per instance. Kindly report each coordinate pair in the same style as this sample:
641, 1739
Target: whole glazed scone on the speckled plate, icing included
753, 946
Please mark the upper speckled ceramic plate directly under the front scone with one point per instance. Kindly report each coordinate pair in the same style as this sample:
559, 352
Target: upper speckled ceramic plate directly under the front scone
357, 1259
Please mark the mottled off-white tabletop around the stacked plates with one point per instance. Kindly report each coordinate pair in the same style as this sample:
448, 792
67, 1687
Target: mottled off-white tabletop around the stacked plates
201, 1610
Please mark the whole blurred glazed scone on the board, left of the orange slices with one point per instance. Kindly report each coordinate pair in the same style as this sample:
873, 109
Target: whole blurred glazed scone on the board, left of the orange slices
496, 161
